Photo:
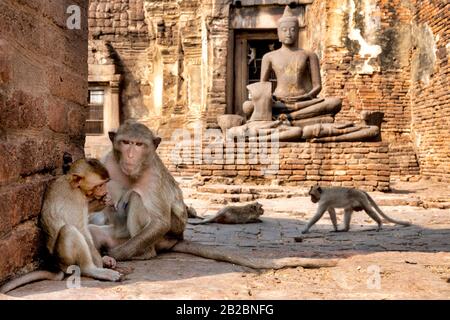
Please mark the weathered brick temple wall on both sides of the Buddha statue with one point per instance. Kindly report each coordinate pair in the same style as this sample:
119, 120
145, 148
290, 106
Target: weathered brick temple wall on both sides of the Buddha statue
378, 55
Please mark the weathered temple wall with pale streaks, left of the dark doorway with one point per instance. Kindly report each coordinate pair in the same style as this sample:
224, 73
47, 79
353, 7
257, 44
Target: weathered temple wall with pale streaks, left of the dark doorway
157, 48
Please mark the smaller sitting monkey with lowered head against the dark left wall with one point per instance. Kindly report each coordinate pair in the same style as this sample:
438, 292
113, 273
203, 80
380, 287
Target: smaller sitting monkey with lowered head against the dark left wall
64, 222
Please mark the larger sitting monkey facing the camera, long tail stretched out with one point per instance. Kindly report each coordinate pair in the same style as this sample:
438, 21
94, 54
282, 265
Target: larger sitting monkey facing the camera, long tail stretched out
155, 210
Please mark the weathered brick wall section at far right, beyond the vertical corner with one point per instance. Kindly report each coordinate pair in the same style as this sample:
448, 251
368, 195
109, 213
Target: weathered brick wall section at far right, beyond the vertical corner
430, 103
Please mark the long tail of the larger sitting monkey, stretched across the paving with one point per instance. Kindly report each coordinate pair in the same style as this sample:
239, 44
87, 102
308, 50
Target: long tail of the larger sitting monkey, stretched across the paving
212, 252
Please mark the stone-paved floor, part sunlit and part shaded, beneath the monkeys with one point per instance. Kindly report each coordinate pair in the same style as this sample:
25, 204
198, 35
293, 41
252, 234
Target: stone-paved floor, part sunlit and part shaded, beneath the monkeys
395, 263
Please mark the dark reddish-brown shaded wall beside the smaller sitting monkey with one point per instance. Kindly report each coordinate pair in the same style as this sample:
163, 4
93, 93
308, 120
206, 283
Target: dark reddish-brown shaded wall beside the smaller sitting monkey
43, 92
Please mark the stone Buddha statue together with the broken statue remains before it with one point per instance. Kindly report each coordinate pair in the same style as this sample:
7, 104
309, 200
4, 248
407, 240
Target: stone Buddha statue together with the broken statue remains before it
294, 111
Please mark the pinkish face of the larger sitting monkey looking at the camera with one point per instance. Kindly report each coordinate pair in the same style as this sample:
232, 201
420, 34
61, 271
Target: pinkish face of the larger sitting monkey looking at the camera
133, 155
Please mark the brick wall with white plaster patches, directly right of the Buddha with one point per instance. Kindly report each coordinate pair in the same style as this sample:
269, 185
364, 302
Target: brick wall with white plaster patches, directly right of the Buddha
365, 51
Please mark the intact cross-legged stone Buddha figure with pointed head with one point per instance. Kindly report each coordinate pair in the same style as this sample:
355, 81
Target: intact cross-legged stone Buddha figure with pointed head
298, 78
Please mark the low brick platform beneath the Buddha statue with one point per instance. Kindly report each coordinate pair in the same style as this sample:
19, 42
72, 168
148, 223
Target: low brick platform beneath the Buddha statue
363, 165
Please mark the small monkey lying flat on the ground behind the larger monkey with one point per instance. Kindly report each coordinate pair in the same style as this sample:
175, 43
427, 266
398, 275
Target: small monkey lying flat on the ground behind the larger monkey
236, 215
